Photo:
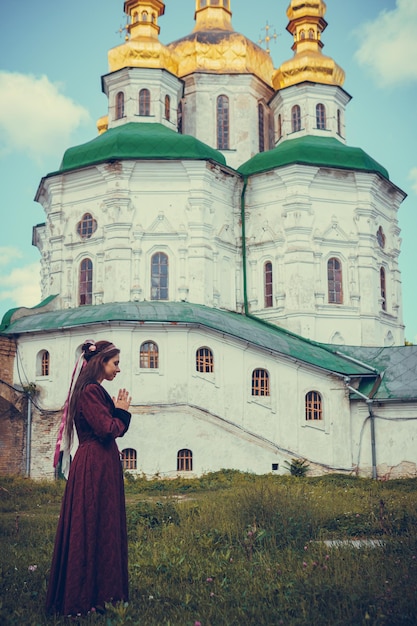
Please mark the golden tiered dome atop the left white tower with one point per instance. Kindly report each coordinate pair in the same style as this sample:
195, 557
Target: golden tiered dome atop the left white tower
142, 47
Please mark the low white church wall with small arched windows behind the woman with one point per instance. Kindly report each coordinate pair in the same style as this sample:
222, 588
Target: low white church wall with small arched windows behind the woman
211, 409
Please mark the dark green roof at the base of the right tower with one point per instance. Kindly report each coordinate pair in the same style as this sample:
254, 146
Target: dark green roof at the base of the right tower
312, 150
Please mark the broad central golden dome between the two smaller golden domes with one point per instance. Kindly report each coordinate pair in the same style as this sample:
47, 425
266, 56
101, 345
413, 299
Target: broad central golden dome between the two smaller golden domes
213, 46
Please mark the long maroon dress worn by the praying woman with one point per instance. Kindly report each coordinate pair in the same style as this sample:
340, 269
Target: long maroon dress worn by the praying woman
89, 564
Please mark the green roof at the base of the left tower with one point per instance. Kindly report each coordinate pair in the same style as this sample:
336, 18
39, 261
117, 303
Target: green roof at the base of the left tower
138, 141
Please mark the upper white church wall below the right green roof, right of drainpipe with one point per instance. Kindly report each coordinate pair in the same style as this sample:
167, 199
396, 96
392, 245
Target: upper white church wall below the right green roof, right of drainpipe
307, 217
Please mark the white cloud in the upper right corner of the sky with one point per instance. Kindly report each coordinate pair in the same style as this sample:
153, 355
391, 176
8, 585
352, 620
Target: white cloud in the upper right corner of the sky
389, 45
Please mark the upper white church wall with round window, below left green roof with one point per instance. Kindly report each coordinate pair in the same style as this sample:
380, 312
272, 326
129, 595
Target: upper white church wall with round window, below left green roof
190, 221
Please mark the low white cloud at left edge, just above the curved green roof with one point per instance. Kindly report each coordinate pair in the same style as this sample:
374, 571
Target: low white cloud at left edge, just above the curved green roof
21, 286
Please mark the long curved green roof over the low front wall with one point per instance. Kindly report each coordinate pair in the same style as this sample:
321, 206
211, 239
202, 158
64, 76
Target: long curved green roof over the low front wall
269, 337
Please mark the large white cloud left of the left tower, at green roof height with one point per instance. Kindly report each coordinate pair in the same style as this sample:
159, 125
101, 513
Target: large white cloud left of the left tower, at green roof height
36, 118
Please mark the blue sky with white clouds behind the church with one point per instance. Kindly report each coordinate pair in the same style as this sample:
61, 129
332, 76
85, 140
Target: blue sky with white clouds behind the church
54, 52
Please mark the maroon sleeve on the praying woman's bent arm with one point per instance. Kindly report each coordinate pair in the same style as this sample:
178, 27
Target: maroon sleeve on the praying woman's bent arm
102, 416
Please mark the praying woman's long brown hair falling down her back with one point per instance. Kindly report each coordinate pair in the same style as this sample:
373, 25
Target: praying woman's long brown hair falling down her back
91, 373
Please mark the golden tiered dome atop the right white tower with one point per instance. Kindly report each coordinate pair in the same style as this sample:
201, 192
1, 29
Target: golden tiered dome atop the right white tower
308, 63
